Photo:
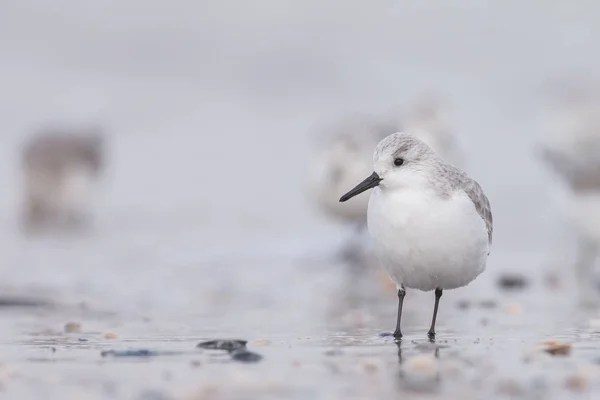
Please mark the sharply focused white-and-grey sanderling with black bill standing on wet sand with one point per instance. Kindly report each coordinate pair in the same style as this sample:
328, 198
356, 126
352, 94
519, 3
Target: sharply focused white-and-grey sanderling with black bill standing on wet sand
431, 224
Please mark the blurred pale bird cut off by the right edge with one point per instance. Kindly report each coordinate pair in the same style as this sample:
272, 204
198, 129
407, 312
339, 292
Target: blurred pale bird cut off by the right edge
571, 149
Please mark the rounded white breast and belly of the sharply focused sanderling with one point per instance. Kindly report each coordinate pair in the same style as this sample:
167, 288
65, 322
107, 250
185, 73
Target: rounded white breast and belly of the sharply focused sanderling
426, 242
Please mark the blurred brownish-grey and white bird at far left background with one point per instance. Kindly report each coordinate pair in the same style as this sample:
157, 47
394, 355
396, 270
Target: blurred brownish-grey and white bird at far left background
57, 167
